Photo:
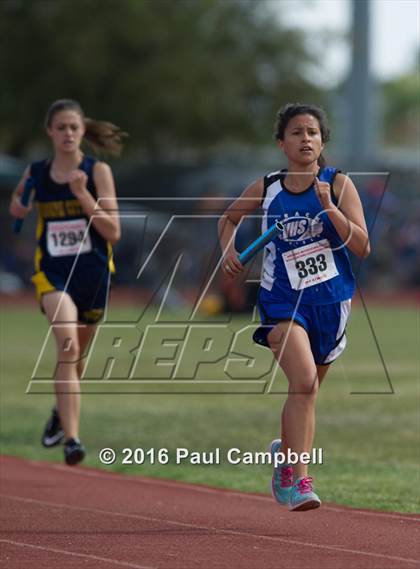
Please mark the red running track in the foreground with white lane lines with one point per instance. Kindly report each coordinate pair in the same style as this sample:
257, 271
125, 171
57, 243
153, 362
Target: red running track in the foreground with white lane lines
54, 516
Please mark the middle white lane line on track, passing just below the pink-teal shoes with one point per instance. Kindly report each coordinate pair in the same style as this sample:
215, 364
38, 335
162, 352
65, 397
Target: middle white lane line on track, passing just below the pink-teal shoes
217, 530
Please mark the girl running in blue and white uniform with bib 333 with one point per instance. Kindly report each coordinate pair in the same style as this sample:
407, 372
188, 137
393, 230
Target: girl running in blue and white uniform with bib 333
307, 282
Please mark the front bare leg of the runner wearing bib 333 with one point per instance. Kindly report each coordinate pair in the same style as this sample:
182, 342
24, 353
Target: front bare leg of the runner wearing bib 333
290, 345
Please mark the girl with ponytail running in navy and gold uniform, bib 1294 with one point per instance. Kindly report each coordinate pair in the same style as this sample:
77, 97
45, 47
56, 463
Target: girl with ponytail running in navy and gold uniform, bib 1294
73, 259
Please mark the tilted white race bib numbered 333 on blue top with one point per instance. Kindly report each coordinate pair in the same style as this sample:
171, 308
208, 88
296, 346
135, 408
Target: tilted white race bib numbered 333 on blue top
310, 265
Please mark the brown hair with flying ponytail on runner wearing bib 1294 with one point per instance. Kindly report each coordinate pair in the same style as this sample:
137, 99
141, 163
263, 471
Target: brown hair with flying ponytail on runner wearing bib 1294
100, 135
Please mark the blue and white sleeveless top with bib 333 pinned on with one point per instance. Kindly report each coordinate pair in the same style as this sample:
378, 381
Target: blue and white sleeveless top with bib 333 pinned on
308, 262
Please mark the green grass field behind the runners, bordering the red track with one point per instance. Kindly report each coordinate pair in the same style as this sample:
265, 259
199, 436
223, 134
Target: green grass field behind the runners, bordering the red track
369, 435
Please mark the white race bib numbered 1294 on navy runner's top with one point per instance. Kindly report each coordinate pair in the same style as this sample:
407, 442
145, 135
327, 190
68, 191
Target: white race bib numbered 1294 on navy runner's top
68, 237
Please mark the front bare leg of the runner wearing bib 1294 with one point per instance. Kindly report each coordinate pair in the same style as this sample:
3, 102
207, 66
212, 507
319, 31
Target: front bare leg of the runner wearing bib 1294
62, 314
